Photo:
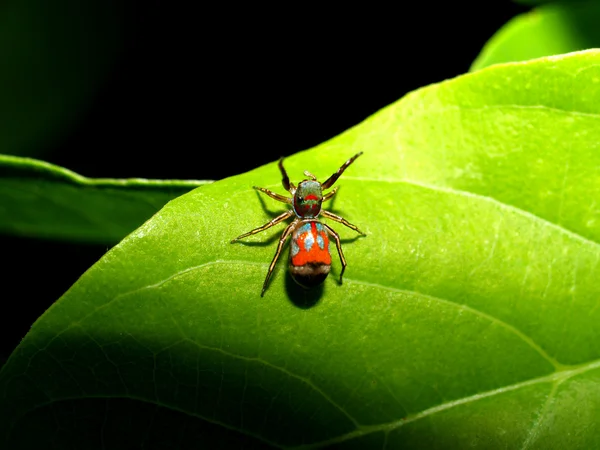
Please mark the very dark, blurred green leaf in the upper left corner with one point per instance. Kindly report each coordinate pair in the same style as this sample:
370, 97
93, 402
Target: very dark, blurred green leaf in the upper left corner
54, 57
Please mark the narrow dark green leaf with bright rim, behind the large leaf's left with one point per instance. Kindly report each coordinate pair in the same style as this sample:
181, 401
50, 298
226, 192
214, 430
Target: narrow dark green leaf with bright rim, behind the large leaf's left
38, 199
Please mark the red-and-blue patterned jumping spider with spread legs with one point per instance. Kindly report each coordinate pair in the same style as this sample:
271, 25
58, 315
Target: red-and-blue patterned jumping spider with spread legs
310, 259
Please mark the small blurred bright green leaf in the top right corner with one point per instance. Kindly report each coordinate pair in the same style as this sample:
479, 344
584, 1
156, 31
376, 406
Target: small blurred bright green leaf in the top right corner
547, 30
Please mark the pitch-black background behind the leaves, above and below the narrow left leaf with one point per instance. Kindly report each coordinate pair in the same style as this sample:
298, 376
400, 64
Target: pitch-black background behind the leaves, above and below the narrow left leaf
209, 93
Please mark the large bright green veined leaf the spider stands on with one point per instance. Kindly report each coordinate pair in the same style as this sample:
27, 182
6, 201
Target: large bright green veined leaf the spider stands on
468, 317
